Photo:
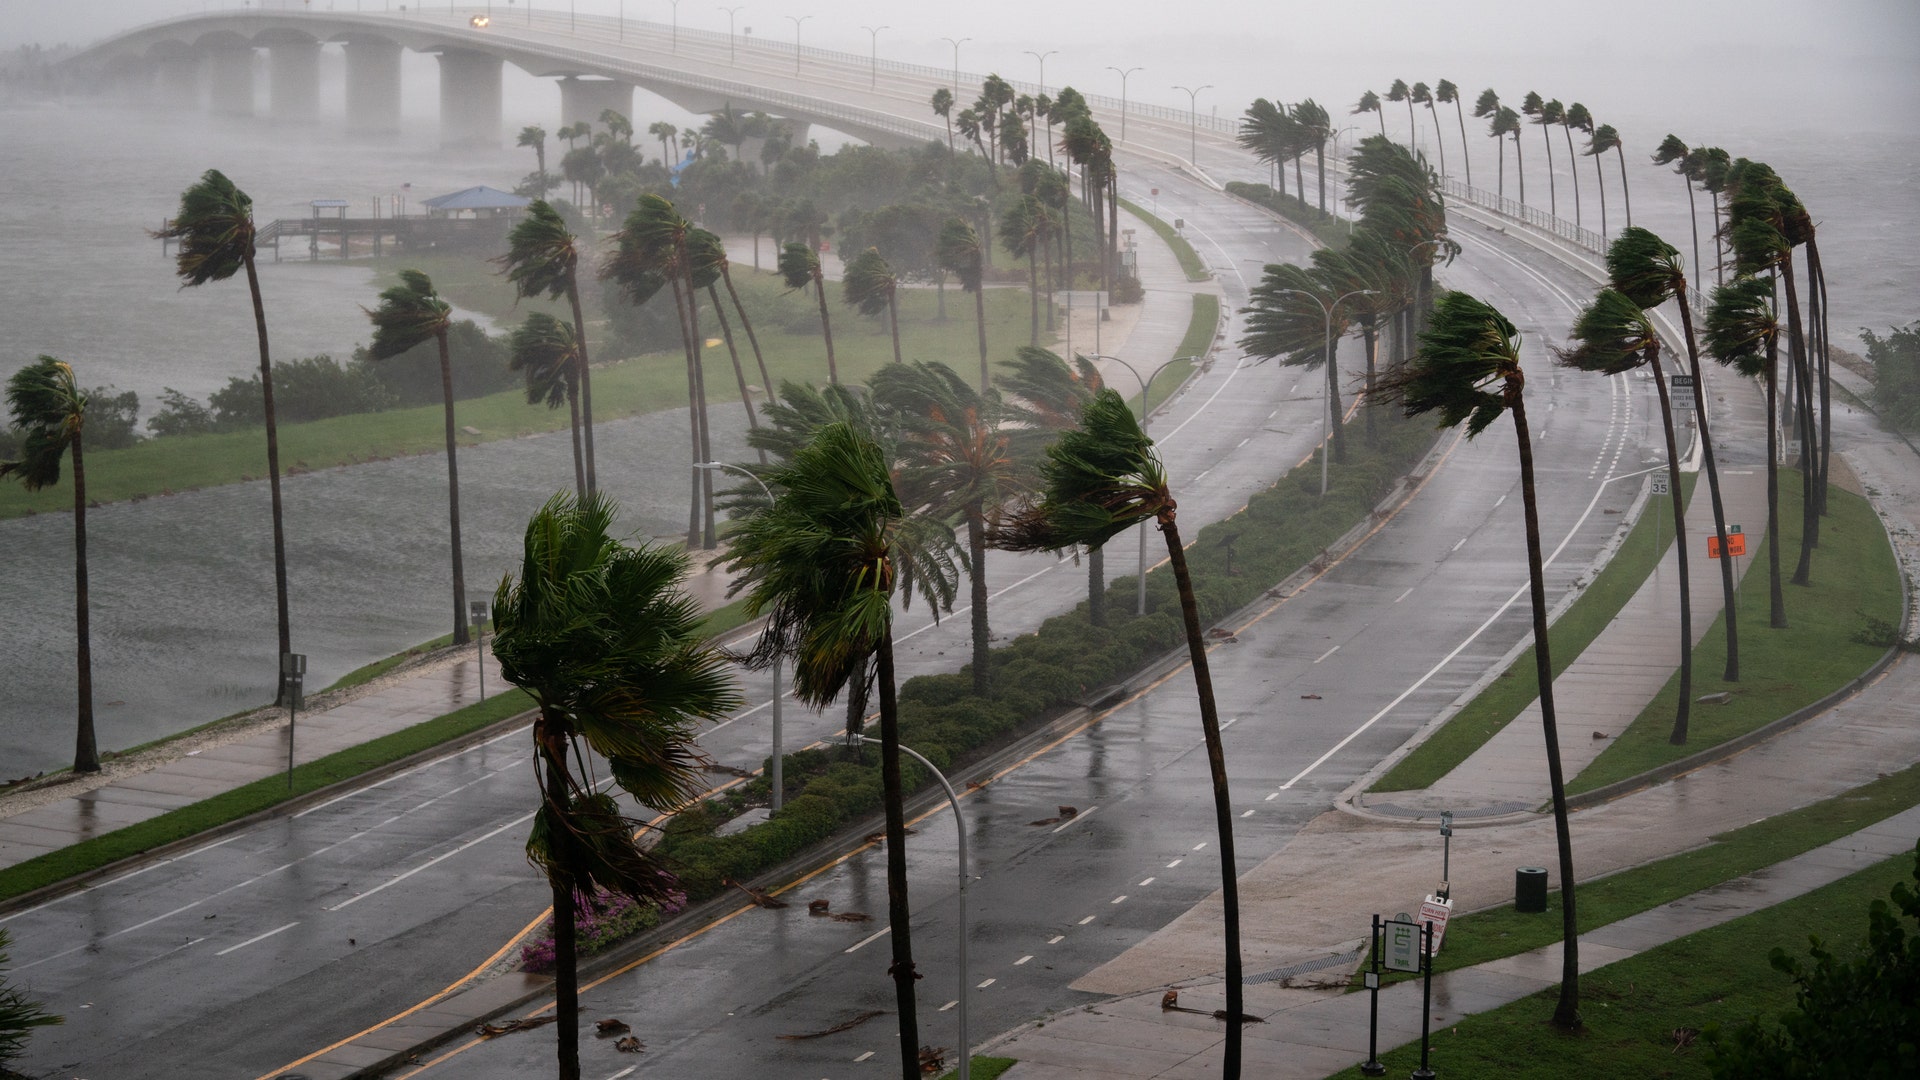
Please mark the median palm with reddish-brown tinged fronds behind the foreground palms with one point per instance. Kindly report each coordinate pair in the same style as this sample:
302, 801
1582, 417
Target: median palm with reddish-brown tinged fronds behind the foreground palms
957, 460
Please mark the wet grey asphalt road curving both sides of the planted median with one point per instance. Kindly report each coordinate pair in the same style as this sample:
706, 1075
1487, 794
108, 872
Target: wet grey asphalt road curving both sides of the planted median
310, 929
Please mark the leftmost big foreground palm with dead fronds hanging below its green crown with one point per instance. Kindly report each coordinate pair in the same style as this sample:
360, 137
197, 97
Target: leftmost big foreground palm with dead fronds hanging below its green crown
610, 647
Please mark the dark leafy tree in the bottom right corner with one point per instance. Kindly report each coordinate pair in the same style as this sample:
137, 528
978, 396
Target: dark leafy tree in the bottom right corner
1854, 1010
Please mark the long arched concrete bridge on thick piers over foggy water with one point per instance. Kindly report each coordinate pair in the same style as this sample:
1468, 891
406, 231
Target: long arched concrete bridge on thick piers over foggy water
208, 61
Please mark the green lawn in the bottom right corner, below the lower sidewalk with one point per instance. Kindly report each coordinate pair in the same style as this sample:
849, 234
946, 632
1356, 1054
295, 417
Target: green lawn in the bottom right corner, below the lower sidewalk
1644, 1016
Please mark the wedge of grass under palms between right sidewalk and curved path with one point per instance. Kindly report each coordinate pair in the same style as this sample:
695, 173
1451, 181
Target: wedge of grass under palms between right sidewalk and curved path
1827, 643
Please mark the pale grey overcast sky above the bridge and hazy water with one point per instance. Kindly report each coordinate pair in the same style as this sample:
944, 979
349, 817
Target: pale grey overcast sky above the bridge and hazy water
1631, 59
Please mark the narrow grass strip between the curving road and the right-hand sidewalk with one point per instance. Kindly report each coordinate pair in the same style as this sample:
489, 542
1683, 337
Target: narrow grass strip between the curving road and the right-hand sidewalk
1520, 687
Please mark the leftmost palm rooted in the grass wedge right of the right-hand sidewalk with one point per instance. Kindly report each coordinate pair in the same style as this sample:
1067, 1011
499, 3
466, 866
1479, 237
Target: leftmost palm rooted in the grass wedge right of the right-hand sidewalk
1610, 337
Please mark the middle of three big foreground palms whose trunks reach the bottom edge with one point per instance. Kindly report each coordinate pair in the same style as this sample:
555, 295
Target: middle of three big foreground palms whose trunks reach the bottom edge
823, 564
